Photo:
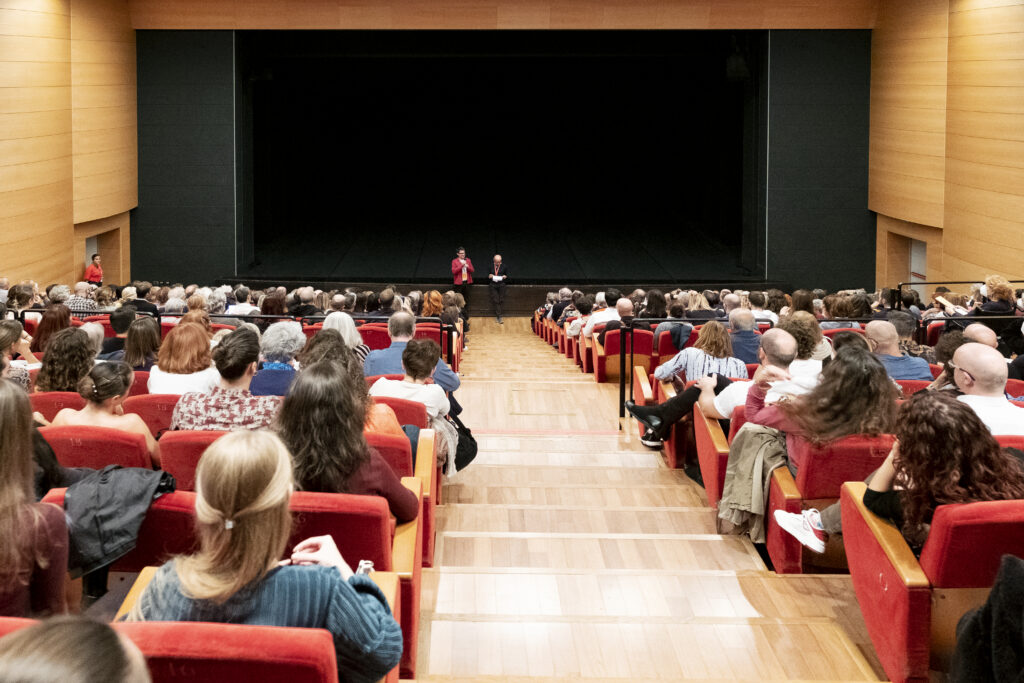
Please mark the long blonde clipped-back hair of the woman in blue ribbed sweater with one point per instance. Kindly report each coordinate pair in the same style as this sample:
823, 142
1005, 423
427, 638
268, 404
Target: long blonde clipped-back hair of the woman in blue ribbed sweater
243, 484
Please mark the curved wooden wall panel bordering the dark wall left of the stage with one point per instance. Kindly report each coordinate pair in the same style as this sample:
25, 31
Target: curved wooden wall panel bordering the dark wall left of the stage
105, 140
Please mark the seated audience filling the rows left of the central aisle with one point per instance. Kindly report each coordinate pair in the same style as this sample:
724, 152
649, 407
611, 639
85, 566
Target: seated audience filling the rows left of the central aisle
293, 395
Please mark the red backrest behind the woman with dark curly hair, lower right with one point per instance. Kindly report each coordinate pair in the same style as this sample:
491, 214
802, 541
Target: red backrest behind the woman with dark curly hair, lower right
967, 541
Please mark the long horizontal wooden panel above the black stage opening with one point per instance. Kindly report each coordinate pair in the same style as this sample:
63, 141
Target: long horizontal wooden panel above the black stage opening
503, 15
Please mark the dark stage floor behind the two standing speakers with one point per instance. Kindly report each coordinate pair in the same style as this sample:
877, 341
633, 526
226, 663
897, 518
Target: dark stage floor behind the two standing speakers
547, 255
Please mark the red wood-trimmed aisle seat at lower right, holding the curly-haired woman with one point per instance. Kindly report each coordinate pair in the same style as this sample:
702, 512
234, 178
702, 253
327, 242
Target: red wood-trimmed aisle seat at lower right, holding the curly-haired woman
912, 606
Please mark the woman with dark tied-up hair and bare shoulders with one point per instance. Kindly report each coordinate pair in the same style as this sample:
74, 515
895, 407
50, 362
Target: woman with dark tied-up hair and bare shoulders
105, 390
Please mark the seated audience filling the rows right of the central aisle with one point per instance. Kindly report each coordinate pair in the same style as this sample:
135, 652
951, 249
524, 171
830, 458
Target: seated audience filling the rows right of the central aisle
830, 366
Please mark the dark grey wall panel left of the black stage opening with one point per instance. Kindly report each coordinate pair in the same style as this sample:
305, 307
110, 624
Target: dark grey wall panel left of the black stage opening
184, 229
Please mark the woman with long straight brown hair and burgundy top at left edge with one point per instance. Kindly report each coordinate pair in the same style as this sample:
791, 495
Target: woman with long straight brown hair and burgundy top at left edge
34, 552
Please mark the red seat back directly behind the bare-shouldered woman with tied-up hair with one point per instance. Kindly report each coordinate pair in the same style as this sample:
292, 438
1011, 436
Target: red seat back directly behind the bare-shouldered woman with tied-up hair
97, 448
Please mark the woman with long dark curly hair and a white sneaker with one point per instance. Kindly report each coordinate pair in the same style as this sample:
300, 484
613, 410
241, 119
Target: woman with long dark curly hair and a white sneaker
944, 455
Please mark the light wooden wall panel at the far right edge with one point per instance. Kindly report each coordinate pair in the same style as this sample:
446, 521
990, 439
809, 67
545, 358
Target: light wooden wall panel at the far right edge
985, 180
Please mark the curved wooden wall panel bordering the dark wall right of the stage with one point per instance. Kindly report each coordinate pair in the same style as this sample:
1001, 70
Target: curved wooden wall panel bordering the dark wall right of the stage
909, 101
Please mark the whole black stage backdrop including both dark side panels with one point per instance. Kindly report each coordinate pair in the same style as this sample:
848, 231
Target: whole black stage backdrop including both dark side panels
585, 156
